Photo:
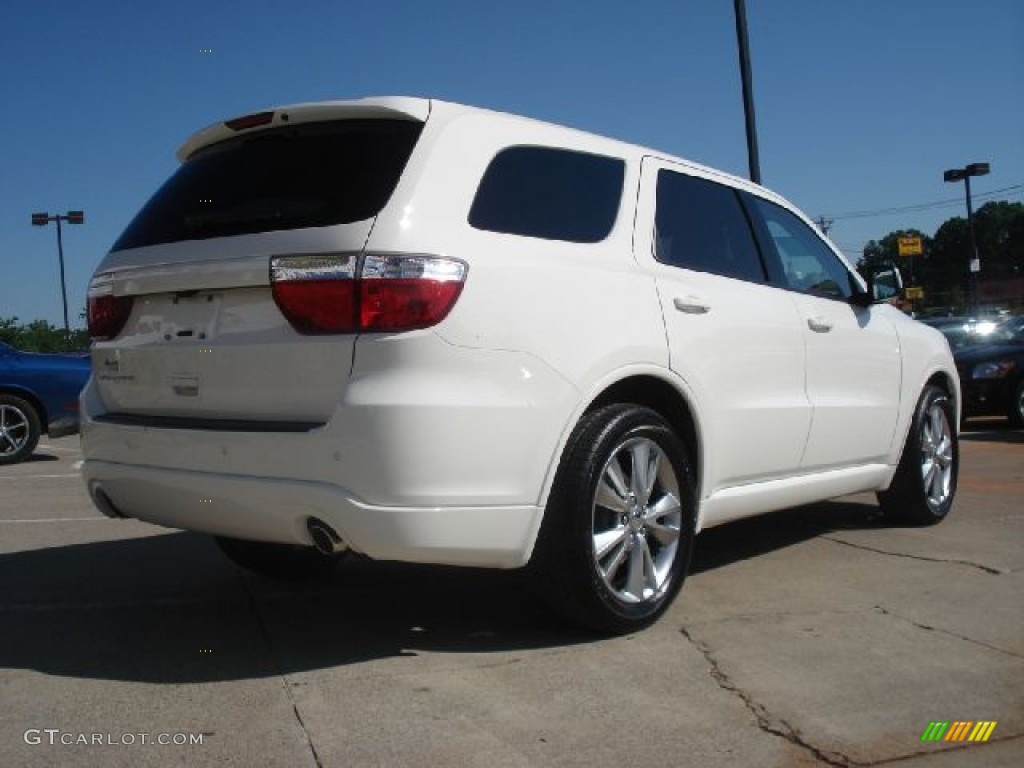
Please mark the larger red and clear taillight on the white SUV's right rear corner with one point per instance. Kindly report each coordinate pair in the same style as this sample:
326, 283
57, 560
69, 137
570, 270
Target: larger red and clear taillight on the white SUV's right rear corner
353, 293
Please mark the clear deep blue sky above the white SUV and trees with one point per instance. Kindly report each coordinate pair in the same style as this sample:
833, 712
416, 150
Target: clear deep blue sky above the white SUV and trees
861, 104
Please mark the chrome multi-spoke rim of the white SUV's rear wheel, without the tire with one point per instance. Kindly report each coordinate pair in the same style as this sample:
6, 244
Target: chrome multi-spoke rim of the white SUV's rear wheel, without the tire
637, 519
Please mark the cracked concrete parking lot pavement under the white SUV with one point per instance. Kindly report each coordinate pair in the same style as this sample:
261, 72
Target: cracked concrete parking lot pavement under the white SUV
818, 636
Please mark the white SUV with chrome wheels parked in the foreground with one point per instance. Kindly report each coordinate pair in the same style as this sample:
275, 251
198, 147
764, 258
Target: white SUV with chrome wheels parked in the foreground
425, 332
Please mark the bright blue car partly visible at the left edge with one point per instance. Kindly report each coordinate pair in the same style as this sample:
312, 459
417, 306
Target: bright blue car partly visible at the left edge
38, 394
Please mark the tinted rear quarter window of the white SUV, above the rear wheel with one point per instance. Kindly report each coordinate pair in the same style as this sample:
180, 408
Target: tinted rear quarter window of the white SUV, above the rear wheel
552, 194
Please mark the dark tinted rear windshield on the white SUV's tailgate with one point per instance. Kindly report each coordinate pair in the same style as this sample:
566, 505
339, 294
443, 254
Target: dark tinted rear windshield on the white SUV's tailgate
316, 175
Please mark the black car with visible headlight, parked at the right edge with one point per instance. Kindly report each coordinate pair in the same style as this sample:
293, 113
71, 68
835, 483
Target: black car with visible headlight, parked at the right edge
993, 375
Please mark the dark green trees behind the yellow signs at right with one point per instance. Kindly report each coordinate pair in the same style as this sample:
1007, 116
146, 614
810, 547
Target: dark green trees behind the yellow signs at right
944, 269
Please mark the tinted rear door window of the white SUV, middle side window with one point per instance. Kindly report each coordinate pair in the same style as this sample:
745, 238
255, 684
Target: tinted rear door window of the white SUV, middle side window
702, 226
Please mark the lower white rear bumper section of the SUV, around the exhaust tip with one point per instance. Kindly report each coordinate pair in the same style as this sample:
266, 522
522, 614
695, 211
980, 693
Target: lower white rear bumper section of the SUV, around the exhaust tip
278, 510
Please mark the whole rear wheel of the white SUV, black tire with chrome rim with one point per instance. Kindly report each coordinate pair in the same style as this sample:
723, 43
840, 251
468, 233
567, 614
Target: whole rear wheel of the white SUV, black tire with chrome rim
615, 548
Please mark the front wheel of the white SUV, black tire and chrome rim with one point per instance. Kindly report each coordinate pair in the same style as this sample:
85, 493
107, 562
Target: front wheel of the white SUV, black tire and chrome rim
923, 490
